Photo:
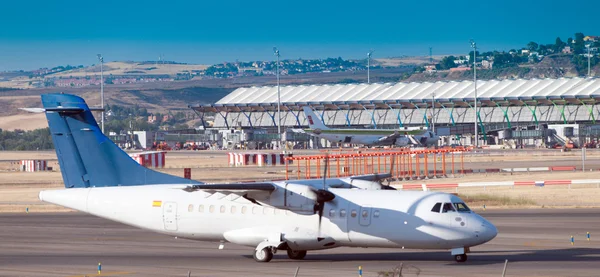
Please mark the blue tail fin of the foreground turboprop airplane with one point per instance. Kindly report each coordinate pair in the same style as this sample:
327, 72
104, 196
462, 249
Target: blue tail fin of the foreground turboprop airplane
87, 157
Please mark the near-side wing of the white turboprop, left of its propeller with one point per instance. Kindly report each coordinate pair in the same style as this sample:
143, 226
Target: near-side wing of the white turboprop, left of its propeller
250, 191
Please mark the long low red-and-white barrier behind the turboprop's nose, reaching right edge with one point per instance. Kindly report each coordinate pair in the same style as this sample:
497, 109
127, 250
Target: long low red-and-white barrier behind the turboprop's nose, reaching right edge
495, 184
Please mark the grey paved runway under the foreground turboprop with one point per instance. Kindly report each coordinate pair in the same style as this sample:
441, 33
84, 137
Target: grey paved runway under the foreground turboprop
536, 242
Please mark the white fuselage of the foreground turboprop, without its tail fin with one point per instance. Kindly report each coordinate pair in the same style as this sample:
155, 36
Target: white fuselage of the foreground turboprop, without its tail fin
358, 218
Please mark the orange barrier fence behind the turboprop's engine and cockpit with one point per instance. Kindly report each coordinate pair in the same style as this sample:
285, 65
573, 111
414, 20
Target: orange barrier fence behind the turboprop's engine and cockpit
405, 164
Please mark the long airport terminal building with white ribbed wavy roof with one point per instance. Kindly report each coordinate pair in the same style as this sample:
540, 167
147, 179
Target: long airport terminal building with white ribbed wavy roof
502, 105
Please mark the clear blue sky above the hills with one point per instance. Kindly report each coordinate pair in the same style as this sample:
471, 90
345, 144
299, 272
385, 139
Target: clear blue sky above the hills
49, 33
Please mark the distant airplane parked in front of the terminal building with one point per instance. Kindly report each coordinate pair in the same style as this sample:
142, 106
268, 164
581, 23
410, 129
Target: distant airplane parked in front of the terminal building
369, 137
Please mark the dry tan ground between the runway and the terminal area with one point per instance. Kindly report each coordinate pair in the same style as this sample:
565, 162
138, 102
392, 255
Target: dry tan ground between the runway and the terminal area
19, 190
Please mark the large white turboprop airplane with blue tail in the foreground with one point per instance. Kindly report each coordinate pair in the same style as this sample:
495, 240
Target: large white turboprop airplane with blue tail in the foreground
295, 216
